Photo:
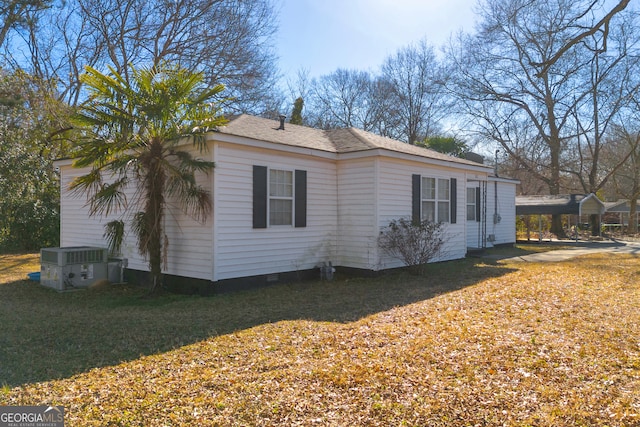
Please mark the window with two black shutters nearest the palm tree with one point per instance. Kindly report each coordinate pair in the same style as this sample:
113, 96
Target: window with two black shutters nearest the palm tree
279, 197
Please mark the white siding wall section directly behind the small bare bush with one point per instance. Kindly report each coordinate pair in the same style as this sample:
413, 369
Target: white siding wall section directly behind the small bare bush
395, 202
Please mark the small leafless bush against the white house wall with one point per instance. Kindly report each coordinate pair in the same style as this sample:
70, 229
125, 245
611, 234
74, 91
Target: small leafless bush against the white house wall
413, 243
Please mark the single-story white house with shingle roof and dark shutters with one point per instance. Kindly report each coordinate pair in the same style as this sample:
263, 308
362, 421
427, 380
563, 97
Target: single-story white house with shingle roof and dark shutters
288, 198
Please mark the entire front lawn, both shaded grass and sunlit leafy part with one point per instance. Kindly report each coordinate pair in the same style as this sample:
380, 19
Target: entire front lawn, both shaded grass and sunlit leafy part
475, 342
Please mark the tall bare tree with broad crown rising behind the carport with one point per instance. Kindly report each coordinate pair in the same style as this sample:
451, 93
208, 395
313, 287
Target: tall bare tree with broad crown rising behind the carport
535, 103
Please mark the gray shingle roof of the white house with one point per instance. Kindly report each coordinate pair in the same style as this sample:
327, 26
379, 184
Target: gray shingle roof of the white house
334, 141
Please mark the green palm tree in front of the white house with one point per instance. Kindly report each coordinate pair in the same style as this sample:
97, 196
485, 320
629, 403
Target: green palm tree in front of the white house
136, 133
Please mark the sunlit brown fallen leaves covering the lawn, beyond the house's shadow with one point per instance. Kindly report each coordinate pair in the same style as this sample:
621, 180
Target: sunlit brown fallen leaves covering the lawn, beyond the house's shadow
543, 344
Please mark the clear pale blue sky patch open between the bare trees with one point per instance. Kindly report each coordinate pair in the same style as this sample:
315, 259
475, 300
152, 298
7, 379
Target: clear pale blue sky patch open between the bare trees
323, 35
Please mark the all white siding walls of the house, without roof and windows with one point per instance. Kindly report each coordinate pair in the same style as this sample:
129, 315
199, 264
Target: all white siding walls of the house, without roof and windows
349, 199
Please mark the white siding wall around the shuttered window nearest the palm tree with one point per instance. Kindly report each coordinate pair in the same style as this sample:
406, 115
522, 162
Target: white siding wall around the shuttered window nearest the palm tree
241, 250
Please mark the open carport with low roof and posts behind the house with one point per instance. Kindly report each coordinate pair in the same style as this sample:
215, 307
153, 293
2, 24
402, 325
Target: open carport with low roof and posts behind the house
567, 204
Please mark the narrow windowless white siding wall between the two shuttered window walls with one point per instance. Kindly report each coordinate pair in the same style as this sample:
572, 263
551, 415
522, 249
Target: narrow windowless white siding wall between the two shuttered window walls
357, 213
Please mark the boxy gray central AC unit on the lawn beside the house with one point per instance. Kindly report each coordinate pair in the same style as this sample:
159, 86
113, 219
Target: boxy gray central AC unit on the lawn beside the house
72, 267
